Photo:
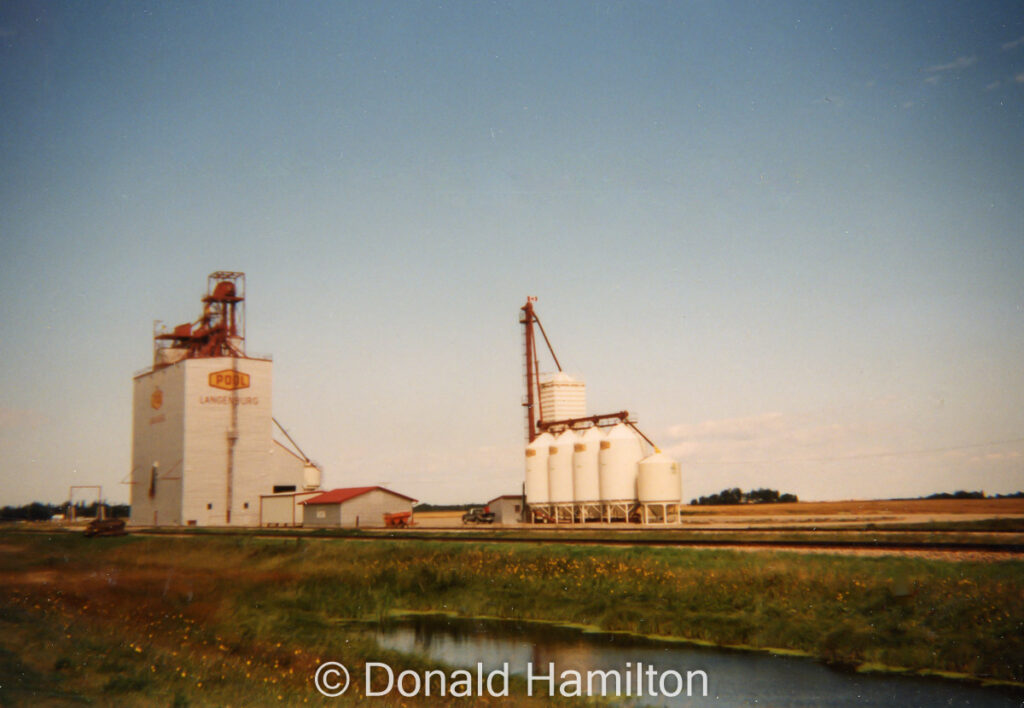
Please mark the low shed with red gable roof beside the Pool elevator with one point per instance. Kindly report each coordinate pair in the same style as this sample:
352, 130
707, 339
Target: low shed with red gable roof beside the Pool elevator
355, 508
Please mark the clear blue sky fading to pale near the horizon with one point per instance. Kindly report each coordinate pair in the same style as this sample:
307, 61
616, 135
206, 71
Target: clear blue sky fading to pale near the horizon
789, 237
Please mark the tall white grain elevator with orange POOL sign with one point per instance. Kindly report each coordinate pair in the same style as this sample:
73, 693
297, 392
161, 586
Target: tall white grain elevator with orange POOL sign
203, 449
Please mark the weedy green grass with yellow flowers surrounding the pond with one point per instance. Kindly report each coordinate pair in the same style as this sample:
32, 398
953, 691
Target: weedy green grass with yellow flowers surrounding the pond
243, 621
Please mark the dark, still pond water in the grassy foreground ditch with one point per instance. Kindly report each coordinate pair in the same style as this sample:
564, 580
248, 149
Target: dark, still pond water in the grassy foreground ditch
648, 671
